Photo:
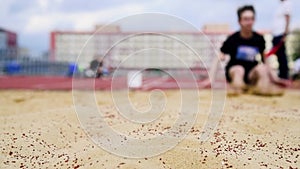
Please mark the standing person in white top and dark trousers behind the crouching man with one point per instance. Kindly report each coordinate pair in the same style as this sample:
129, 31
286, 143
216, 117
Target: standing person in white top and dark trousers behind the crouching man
281, 25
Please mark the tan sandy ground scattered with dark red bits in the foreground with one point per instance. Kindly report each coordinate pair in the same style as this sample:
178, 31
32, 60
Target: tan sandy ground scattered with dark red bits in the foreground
40, 129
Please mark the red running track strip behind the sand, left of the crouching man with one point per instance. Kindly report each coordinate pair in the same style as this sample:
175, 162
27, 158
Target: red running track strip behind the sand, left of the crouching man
66, 83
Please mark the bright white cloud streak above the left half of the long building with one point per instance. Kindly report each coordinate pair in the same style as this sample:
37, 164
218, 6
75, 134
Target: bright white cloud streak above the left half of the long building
79, 20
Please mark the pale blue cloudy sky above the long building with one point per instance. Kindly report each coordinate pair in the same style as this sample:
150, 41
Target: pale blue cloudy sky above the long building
33, 20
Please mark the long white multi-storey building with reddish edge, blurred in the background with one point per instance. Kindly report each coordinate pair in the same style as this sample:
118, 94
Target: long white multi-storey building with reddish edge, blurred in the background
136, 49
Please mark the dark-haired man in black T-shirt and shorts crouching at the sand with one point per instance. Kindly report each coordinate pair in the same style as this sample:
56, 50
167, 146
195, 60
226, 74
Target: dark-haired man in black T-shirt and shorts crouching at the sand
242, 70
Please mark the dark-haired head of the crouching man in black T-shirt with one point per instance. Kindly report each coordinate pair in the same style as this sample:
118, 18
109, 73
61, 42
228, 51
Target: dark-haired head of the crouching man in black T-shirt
246, 17
